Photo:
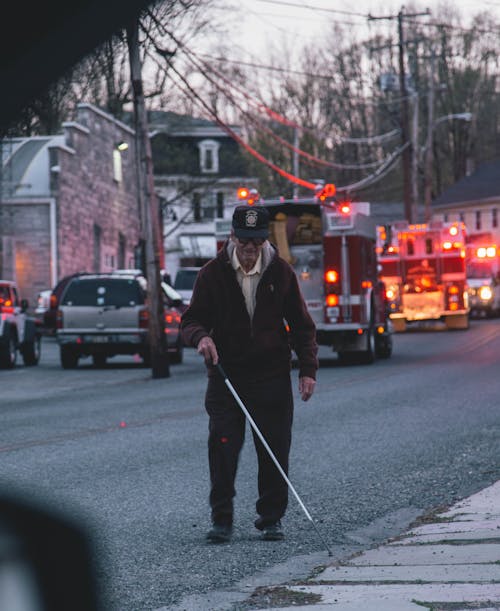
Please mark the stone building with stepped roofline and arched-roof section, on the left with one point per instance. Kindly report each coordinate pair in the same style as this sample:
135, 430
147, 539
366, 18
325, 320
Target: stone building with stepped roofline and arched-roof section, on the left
68, 202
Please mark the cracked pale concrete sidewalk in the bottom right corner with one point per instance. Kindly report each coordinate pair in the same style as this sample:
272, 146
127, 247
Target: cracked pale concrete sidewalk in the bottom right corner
450, 562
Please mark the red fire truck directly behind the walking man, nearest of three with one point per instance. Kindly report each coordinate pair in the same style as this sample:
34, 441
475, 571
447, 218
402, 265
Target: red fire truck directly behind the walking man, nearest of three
331, 247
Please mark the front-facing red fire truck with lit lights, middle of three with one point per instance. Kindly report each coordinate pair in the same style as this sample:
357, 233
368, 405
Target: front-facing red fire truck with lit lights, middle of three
423, 268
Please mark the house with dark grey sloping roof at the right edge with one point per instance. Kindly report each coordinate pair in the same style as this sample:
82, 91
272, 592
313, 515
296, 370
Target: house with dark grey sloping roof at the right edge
475, 200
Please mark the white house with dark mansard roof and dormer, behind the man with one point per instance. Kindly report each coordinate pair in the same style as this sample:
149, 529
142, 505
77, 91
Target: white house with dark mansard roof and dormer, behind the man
198, 168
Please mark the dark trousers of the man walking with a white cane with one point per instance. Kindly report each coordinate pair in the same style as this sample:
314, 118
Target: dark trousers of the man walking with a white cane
270, 403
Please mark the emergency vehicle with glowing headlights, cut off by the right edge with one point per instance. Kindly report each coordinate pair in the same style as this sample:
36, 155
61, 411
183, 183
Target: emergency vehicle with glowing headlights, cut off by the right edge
483, 276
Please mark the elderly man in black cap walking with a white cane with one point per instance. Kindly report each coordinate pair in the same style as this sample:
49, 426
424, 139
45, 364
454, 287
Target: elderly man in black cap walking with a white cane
242, 302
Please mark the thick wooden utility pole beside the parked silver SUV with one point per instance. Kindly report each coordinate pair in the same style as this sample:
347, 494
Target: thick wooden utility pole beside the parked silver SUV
149, 212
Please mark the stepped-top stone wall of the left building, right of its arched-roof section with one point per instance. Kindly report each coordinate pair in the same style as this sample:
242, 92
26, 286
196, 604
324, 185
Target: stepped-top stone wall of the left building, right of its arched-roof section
93, 208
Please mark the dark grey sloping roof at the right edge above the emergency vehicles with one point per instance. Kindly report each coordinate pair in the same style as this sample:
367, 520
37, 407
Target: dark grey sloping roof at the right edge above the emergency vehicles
483, 184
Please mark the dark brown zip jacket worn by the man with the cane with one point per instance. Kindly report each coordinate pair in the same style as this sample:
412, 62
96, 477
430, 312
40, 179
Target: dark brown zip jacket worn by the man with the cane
259, 348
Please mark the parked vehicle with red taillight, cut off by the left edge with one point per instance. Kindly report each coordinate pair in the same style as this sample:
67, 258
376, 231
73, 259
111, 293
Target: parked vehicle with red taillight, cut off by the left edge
18, 331
